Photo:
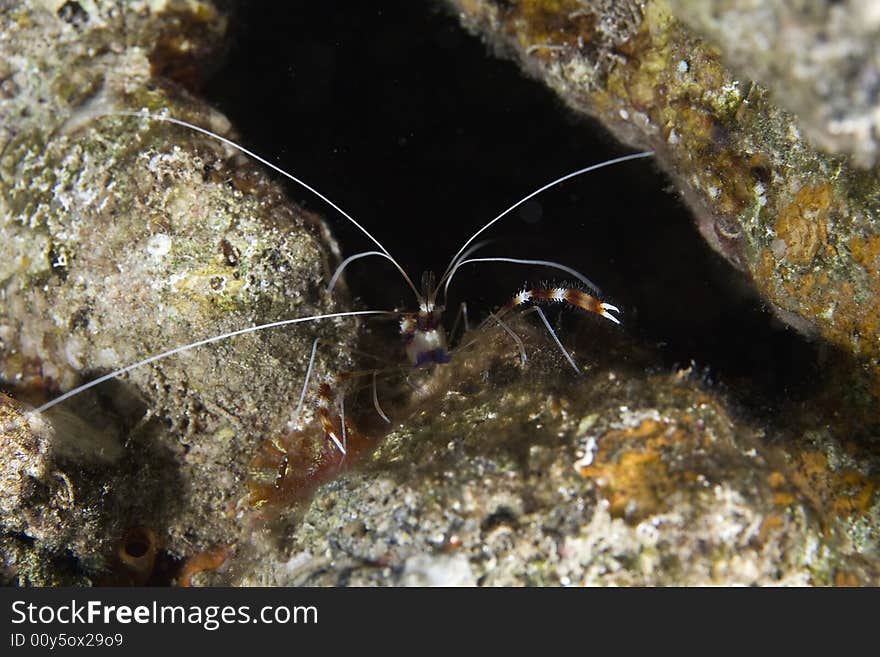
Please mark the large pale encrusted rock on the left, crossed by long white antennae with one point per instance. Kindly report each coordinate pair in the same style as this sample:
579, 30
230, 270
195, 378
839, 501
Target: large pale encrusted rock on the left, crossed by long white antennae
123, 237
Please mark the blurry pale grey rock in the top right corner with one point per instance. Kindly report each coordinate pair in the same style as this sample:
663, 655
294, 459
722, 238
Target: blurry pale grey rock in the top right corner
820, 59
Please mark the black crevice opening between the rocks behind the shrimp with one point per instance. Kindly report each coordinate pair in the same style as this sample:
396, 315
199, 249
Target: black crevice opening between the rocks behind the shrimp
412, 126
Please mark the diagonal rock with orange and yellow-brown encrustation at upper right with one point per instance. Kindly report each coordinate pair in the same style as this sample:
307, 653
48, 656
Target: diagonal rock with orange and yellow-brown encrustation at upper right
791, 217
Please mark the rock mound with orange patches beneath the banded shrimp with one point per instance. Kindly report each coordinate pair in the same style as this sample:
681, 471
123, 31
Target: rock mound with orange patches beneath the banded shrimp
509, 476
